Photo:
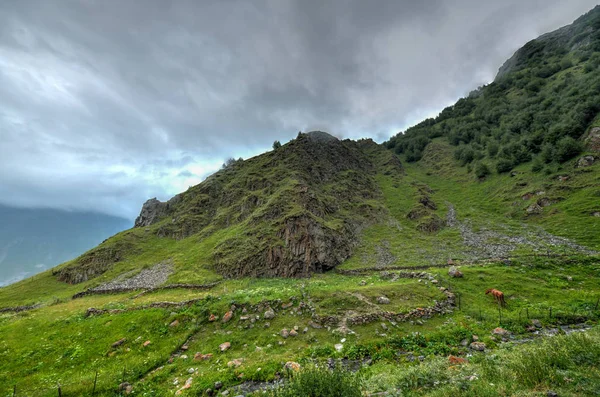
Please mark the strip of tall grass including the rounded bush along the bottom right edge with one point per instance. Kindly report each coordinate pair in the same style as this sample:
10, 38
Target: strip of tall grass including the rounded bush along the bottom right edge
567, 364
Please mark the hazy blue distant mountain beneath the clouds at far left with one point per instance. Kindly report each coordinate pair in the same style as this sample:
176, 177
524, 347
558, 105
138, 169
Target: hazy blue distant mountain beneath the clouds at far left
32, 240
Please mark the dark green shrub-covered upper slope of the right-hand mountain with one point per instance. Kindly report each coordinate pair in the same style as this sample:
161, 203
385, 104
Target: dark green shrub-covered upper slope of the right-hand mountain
538, 109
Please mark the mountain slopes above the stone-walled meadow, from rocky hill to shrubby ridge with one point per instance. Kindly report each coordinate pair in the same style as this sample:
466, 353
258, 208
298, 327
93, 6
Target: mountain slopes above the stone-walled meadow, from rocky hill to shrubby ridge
307, 206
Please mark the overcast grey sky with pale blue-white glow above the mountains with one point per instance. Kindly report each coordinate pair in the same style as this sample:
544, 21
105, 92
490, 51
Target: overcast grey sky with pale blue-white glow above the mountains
105, 103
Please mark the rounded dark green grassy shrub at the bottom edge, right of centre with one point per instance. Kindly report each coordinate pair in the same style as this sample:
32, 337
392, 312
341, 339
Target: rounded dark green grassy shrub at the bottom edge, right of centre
315, 382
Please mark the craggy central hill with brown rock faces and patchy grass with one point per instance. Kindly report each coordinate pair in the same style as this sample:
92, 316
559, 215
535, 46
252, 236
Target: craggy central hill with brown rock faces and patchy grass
290, 212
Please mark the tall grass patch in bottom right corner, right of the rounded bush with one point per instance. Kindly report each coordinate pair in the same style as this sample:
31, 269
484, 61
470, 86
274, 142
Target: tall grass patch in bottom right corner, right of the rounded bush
566, 364
